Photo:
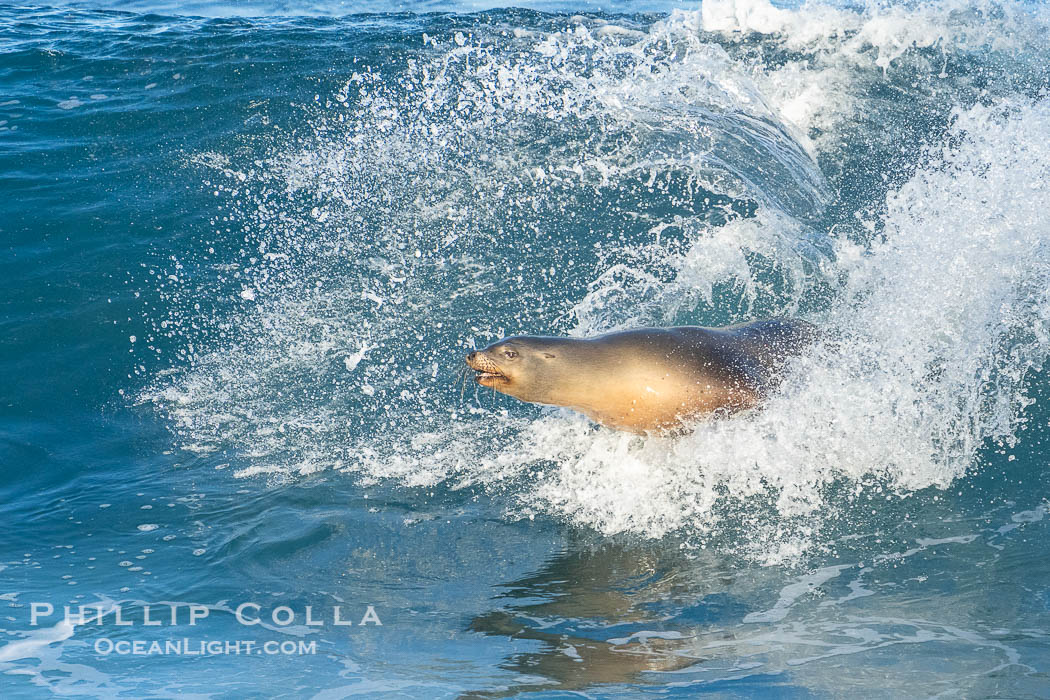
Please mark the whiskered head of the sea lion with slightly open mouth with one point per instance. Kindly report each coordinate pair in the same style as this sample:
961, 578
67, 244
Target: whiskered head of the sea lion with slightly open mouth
528, 368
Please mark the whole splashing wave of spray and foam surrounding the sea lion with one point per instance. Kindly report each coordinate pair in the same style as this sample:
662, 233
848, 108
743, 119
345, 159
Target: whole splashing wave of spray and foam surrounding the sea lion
881, 174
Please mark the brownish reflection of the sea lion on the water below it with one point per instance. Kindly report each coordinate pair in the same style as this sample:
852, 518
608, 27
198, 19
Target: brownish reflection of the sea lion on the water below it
607, 613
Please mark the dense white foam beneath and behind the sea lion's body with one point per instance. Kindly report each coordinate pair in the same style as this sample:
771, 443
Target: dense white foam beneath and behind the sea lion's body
938, 325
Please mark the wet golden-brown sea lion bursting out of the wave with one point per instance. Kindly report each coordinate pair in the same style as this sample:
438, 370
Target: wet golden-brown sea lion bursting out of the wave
646, 380
